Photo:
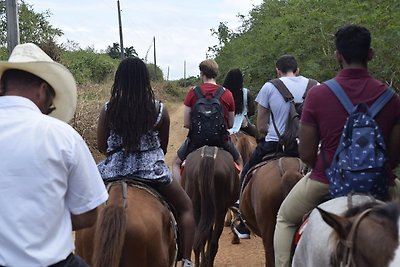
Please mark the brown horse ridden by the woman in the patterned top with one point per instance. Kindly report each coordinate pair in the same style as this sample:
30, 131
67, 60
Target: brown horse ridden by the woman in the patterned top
134, 228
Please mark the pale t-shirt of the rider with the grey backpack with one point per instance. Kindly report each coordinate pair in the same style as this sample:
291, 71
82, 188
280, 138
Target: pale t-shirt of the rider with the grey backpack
270, 98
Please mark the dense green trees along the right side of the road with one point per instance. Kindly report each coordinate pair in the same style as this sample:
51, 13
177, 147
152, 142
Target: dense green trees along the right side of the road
305, 28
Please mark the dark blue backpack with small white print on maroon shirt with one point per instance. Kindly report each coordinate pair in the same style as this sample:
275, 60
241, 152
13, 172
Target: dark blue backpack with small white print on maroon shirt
360, 163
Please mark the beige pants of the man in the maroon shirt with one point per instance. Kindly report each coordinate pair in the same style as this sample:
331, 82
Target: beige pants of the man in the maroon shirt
304, 196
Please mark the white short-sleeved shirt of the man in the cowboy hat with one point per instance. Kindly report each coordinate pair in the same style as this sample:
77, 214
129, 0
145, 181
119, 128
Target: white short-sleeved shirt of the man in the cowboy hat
47, 172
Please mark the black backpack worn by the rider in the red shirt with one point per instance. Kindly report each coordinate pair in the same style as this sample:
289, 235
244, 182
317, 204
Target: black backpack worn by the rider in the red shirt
207, 126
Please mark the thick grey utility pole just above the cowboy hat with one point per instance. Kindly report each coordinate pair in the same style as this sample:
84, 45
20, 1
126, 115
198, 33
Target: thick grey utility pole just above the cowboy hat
12, 25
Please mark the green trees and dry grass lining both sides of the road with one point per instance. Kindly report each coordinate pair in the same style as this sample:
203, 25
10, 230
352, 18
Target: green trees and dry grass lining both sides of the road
303, 28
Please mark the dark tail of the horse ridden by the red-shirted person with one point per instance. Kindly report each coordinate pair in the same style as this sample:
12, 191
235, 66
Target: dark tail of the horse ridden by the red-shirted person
207, 203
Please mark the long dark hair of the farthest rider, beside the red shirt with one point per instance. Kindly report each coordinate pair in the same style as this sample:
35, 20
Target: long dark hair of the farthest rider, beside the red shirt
234, 82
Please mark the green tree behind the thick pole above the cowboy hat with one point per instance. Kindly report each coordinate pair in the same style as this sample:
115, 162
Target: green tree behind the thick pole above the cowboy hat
34, 27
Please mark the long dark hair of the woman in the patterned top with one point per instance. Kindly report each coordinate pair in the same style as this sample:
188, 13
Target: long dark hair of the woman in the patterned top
131, 111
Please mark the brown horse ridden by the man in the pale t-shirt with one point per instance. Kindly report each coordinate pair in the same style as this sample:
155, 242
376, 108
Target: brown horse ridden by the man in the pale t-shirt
262, 196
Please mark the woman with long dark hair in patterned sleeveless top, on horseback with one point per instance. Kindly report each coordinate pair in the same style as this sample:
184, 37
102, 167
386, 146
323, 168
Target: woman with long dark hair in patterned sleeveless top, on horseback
133, 131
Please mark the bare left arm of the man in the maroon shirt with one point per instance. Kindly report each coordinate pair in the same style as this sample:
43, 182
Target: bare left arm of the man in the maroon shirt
308, 146
